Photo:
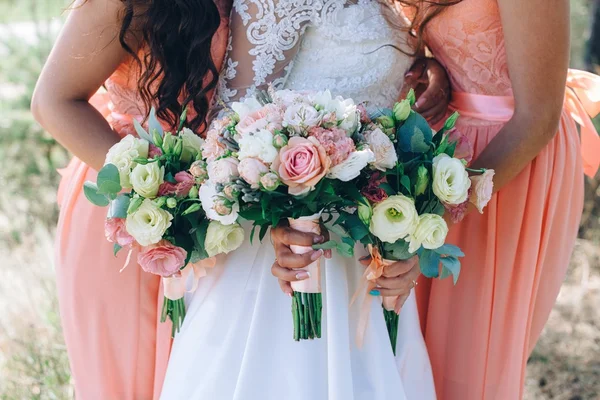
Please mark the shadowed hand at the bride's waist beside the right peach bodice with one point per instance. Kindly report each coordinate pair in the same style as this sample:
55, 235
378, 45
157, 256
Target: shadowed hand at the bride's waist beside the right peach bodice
431, 83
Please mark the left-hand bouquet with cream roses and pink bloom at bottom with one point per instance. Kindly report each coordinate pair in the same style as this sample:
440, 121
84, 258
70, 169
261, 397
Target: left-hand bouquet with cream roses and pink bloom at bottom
151, 185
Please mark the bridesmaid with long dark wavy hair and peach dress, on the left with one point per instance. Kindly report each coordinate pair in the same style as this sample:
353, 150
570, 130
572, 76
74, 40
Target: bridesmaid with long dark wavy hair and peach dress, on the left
110, 319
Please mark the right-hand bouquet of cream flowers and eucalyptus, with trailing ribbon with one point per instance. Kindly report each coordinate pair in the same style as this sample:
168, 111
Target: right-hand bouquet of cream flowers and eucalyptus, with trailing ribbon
418, 179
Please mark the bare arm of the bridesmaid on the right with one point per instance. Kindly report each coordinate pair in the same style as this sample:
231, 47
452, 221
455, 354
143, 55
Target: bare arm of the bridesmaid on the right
537, 47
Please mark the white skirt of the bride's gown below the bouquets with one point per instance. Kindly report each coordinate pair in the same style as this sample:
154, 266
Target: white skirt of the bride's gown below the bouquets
237, 343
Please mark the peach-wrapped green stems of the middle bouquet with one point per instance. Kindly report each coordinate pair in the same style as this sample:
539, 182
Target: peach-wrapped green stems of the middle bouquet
307, 301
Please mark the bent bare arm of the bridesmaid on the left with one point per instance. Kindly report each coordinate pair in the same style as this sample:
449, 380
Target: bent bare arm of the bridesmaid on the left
86, 53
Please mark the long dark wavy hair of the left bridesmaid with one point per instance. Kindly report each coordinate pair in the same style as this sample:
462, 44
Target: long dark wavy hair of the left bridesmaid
177, 68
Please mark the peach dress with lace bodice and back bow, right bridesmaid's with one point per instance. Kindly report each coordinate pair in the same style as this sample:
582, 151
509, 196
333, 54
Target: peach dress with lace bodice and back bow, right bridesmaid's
480, 332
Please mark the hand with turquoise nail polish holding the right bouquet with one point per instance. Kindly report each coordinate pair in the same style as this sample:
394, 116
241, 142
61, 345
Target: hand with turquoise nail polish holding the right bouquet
398, 279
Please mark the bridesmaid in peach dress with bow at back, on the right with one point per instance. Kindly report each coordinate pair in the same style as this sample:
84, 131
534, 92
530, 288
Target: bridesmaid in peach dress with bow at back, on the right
507, 61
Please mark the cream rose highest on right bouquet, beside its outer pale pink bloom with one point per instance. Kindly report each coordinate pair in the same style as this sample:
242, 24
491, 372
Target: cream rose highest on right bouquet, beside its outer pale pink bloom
451, 181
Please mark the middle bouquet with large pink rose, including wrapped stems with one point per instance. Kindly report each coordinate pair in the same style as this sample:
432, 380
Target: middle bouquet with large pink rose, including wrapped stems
286, 155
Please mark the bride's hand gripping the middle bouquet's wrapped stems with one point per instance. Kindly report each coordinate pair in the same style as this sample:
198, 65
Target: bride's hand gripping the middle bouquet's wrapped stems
288, 265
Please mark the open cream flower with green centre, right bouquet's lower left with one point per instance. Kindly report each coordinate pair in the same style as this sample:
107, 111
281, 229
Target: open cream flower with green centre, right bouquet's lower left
394, 218
